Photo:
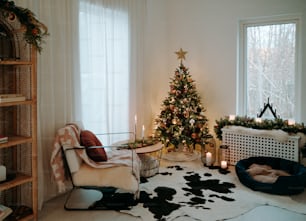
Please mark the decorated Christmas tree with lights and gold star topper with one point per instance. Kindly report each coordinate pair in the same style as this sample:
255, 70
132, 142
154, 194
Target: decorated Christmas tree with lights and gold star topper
182, 119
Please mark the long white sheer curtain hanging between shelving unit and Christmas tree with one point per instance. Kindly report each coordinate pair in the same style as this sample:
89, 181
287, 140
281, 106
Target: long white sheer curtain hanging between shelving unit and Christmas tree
59, 79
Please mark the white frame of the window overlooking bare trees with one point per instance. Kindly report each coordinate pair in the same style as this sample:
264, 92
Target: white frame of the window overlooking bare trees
241, 93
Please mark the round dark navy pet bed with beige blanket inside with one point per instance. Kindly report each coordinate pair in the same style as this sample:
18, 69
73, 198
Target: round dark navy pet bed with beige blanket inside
290, 176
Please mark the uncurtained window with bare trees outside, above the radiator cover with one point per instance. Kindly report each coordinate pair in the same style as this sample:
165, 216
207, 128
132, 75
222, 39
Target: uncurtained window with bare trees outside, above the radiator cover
268, 67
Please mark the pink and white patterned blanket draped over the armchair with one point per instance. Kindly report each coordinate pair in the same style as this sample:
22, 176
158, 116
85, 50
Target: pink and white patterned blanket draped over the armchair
69, 137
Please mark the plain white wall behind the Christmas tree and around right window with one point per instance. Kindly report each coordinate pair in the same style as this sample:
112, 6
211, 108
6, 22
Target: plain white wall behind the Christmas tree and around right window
208, 30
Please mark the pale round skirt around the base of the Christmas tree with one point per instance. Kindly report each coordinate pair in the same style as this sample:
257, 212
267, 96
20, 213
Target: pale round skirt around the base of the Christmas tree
179, 156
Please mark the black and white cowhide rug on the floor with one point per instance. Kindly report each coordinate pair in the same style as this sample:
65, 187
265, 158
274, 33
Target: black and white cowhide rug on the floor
189, 191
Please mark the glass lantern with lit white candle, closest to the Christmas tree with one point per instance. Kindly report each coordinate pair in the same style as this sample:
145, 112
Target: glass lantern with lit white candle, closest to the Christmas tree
208, 152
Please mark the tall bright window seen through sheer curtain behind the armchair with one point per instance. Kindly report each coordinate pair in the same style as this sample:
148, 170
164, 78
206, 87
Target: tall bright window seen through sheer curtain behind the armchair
104, 68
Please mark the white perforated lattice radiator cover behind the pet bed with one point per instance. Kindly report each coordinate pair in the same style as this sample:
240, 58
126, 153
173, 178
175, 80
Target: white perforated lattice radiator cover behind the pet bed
243, 145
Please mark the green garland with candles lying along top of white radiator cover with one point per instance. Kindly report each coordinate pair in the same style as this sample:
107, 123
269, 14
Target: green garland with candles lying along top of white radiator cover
266, 124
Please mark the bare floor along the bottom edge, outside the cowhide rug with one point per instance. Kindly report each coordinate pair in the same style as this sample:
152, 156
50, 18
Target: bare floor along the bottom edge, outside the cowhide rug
54, 210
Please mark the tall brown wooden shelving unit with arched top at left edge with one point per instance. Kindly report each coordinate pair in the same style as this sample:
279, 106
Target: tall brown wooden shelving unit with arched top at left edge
18, 120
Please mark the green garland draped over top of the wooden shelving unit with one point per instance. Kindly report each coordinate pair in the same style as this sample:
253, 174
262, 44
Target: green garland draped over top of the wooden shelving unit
35, 31
